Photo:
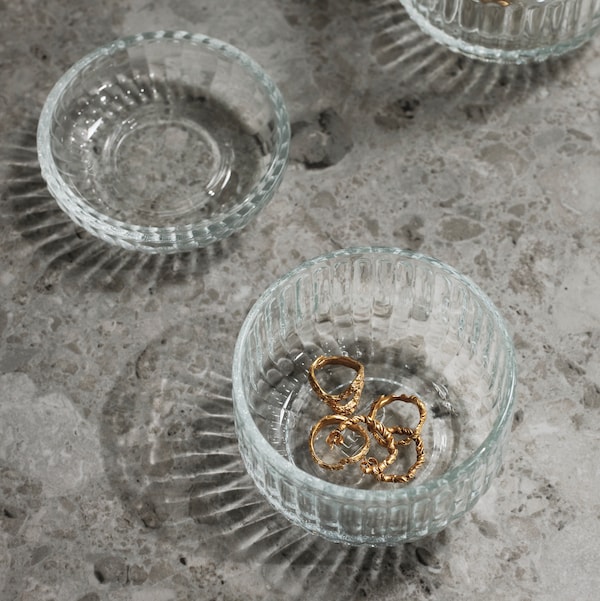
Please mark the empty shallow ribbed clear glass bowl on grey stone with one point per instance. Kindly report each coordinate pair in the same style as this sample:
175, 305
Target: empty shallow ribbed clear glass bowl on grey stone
163, 142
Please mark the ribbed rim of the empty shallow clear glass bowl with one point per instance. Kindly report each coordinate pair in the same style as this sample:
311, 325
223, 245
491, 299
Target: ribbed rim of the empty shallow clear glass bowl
158, 238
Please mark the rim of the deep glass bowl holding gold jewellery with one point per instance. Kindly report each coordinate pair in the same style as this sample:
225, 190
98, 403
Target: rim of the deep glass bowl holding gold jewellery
416, 490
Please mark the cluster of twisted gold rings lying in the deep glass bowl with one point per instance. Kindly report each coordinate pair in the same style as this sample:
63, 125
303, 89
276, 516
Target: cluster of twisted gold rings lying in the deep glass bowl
344, 405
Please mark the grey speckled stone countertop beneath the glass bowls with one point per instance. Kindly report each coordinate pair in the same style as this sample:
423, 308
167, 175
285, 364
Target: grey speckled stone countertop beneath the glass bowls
119, 474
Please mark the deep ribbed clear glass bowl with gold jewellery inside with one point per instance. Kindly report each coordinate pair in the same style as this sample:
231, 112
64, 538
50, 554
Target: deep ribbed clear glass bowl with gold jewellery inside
419, 328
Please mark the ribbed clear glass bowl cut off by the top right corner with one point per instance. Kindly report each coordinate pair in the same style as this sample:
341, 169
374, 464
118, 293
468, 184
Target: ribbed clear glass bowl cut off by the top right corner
507, 31
